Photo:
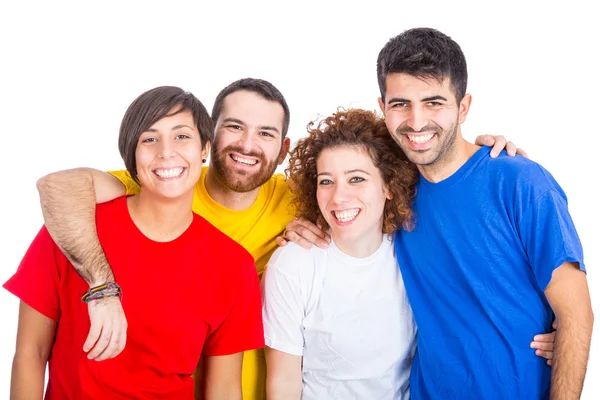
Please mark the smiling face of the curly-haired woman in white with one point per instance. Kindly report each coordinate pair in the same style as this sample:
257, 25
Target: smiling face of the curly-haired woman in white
351, 194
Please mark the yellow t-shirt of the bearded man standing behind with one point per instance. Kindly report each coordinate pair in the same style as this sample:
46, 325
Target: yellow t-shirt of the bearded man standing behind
255, 228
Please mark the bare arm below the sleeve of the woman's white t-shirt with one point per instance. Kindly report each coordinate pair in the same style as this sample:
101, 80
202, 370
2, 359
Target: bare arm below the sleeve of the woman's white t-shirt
284, 375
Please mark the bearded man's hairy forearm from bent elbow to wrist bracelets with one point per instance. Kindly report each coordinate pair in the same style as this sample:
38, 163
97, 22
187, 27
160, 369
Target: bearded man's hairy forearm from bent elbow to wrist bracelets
68, 203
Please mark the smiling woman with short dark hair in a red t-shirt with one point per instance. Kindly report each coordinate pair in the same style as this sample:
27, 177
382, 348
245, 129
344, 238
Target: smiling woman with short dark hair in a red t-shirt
187, 289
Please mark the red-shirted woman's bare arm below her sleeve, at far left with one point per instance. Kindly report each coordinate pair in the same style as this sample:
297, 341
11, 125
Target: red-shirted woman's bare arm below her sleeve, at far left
35, 336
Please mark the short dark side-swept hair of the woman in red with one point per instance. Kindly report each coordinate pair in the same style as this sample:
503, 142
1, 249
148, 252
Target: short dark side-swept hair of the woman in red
150, 107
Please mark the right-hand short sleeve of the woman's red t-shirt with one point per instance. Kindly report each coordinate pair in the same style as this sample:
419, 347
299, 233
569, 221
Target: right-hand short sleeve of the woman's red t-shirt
242, 329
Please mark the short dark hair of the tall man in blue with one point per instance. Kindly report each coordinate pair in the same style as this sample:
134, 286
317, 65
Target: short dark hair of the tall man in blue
424, 53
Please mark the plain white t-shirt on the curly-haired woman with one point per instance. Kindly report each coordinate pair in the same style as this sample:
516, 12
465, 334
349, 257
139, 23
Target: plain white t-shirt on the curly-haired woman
349, 319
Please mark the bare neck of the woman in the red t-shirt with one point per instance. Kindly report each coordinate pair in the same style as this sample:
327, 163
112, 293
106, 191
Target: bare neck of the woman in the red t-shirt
160, 219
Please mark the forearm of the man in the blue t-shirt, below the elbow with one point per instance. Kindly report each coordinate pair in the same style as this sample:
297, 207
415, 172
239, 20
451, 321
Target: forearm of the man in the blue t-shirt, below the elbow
572, 348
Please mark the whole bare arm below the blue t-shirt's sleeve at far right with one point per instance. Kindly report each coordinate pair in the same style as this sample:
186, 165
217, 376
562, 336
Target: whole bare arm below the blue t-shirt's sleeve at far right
569, 297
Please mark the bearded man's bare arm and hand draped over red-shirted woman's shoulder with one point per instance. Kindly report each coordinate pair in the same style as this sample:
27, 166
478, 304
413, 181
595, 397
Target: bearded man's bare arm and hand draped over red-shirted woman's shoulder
68, 201
